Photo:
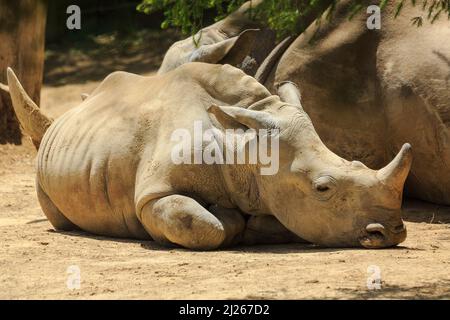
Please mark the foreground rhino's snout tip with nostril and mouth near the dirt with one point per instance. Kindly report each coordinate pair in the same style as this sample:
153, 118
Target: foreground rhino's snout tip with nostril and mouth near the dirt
377, 235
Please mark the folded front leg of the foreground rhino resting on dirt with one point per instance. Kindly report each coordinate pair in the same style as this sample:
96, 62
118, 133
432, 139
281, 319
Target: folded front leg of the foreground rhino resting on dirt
181, 220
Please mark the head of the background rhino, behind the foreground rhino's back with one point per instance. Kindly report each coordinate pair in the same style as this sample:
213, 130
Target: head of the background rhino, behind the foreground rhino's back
236, 40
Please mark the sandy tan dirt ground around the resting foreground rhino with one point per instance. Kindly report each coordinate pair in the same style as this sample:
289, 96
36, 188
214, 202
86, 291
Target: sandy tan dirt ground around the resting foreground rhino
35, 261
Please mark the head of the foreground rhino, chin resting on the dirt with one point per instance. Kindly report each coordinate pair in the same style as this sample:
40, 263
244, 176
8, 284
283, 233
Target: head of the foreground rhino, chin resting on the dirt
320, 196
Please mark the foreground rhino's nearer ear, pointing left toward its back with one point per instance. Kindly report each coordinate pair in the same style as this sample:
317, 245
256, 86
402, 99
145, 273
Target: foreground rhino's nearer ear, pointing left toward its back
235, 116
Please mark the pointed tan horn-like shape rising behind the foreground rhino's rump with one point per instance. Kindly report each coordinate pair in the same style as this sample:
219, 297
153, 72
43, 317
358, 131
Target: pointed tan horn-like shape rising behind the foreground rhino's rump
34, 123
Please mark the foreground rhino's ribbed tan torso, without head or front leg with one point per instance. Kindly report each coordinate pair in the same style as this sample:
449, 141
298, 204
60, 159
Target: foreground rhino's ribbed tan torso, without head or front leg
102, 161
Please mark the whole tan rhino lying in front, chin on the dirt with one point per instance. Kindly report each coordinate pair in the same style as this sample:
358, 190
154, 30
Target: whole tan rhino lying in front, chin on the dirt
106, 166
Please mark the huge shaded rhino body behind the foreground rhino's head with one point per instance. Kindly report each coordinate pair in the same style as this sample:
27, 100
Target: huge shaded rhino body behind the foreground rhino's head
369, 91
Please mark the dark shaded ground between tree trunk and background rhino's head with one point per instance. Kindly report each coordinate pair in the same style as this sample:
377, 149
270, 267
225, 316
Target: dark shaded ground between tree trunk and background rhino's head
93, 57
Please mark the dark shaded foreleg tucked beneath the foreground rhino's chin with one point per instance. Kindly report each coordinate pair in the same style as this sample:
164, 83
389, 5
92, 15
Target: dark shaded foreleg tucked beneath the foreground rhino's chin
268, 230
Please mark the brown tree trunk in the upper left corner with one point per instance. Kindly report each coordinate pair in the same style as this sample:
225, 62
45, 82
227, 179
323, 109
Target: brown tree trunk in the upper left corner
22, 40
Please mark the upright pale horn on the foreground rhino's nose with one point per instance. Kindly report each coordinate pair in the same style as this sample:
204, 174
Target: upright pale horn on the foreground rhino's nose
395, 173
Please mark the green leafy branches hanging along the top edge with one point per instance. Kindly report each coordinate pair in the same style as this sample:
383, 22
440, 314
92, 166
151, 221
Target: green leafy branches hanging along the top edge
284, 16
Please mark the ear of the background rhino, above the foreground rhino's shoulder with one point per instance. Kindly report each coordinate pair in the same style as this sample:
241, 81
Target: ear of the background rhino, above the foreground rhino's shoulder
231, 51
